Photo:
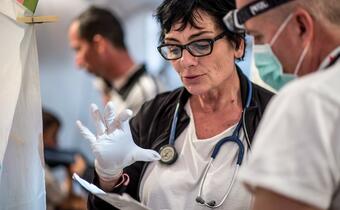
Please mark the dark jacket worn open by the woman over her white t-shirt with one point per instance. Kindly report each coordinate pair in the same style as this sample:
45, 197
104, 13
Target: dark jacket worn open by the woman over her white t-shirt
150, 128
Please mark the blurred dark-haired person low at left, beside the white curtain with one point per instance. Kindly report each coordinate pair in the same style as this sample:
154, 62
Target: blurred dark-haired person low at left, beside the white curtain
60, 194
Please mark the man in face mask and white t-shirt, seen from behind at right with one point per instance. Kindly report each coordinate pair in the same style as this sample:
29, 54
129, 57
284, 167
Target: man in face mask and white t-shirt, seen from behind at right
295, 162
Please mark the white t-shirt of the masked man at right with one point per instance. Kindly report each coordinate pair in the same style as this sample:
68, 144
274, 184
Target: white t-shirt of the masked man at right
296, 149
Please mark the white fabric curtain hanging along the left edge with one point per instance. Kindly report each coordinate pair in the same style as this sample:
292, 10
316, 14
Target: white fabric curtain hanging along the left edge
22, 185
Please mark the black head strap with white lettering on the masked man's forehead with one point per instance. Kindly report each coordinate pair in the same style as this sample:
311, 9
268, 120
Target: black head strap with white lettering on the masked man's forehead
257, 7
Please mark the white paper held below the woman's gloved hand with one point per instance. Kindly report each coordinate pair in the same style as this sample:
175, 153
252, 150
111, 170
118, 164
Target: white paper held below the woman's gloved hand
123, 202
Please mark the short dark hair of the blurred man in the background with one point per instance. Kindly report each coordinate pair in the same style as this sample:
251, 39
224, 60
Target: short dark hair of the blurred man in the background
101, 21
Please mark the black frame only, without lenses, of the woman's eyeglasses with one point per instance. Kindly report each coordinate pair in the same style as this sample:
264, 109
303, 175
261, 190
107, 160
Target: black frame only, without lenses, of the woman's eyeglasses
185, 46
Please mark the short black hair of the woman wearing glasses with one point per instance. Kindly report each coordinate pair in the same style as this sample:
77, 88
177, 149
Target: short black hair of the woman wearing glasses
171, 12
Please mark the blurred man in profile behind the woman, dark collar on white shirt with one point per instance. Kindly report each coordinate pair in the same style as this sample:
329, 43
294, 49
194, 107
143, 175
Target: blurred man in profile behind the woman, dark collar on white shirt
97, 37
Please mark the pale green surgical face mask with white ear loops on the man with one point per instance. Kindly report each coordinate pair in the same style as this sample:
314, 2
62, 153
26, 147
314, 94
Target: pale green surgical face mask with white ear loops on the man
269, 66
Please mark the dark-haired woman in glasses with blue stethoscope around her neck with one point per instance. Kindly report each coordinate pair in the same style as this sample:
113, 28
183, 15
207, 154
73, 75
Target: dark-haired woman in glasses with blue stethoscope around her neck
203, 131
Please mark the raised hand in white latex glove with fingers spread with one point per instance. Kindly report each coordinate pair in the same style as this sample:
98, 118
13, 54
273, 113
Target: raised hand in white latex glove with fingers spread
113, 146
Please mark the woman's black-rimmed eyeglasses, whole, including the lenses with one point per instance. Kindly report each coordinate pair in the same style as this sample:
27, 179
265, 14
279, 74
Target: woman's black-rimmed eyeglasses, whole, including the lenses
197, 48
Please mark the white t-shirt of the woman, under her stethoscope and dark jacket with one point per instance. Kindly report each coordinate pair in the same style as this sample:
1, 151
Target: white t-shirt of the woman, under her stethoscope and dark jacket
176, 186
